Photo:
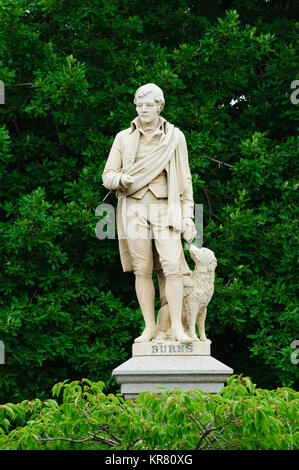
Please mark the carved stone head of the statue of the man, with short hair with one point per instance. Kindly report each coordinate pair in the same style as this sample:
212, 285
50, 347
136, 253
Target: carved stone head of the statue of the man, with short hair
149, 101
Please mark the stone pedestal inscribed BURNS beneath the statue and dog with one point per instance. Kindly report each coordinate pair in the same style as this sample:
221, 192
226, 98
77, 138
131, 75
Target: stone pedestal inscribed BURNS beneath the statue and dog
168, 364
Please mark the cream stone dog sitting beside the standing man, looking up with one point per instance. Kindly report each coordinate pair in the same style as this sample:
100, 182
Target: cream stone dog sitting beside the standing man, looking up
198, 291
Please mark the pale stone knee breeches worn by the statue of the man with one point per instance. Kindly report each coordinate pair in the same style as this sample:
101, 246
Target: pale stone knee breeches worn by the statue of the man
147, 224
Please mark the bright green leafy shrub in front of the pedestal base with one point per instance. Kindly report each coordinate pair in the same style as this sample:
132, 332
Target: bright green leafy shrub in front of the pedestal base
240, 416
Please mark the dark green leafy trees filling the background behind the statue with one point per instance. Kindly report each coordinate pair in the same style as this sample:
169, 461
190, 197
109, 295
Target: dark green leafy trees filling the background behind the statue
70, 70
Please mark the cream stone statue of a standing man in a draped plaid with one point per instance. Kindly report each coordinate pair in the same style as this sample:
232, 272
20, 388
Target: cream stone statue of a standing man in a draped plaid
149, 170
